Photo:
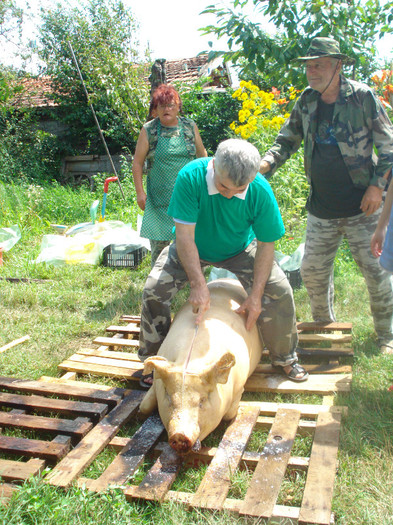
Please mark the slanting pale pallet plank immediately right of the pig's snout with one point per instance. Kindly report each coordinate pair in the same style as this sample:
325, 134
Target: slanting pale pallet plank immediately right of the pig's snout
216, 482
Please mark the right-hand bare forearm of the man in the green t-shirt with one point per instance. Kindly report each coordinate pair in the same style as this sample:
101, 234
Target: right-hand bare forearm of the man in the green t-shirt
252, 306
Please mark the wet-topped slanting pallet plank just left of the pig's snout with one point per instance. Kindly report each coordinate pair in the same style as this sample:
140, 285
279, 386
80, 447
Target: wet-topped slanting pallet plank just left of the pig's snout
132, 455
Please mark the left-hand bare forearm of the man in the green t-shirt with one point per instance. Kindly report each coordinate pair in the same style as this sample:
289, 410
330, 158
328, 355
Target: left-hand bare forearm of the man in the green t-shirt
189, 257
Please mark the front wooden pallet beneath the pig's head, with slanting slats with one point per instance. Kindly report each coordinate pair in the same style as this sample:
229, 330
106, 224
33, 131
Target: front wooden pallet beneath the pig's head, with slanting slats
268, 469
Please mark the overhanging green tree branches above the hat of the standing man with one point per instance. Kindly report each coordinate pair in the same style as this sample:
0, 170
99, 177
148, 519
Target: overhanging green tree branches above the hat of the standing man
355, 24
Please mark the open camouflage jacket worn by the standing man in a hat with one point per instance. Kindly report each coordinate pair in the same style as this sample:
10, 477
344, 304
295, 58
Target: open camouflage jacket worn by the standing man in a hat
360, 123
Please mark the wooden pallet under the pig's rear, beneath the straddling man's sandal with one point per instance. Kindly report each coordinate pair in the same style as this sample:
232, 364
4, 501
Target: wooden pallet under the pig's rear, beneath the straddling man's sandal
327, 343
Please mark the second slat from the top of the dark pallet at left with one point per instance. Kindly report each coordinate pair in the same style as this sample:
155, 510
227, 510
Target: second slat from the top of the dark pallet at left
61, 406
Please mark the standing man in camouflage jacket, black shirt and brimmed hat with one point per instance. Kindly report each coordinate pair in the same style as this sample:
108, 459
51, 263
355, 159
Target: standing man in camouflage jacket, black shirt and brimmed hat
341, 122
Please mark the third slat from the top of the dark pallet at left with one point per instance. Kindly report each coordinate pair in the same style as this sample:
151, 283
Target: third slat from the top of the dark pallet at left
76, 429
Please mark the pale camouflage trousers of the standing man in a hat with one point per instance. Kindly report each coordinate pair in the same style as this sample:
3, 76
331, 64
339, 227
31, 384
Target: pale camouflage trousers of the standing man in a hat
323, 237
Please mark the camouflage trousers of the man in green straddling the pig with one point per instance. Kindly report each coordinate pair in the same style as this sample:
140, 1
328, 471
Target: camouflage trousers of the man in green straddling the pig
277, 322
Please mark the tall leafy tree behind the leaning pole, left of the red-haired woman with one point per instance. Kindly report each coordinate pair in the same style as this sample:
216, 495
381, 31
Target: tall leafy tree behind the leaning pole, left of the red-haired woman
102, 35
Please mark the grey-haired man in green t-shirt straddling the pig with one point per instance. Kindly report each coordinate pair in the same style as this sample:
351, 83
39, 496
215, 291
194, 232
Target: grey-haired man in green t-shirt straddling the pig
225, 215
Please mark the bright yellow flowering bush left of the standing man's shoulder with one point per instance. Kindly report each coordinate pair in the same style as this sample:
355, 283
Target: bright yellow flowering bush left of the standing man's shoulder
260, 109
